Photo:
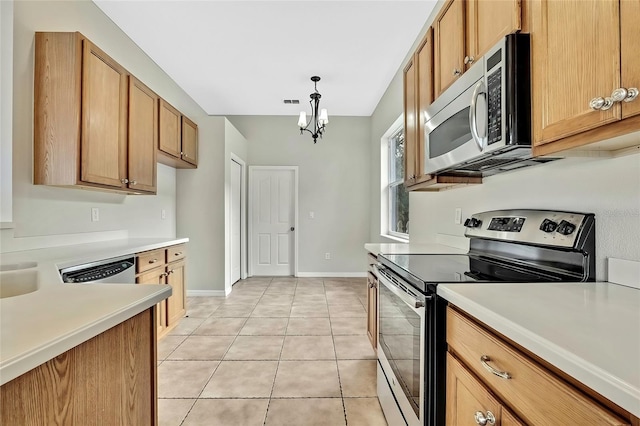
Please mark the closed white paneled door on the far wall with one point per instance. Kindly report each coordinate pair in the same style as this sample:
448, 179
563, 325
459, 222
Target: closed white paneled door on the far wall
272, 192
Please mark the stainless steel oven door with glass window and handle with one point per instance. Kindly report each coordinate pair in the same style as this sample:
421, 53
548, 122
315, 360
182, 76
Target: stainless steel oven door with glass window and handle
401, 344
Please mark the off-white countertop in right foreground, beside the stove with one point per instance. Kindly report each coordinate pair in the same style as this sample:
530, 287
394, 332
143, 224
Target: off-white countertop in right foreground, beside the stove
591, 331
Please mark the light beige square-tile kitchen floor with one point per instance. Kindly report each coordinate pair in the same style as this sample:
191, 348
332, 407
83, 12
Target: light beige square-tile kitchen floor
281, 351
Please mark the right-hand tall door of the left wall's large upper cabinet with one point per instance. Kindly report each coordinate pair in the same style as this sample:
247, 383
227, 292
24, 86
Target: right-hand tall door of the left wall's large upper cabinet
143, 136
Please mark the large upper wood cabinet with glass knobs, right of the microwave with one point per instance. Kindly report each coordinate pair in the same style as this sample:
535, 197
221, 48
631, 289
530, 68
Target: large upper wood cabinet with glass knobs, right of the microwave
582, 52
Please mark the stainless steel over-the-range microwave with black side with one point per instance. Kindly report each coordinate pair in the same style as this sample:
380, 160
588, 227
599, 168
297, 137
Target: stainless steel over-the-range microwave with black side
481, 124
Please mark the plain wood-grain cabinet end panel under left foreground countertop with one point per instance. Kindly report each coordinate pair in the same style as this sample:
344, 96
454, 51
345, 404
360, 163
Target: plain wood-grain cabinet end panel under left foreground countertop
110, 379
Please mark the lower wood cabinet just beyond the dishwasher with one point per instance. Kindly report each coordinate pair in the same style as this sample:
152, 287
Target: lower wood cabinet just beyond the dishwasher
165, 266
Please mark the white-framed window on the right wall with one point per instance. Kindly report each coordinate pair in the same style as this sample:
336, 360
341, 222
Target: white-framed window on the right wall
394, 211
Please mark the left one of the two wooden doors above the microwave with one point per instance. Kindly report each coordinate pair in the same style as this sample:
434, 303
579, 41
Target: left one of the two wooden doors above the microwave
449, 45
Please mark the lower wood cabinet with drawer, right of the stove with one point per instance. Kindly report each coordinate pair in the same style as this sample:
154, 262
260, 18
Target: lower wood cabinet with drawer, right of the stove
485, 373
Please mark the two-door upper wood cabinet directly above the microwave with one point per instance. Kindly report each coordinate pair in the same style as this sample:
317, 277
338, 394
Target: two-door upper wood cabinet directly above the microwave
466, 30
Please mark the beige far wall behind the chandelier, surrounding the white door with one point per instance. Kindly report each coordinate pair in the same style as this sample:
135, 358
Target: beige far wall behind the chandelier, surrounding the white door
333, 183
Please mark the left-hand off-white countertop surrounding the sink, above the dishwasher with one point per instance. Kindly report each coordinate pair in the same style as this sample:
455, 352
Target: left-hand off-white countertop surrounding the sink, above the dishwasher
39, 326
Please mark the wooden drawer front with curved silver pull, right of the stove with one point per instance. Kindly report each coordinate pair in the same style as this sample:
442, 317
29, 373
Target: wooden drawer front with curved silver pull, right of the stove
534, 393
